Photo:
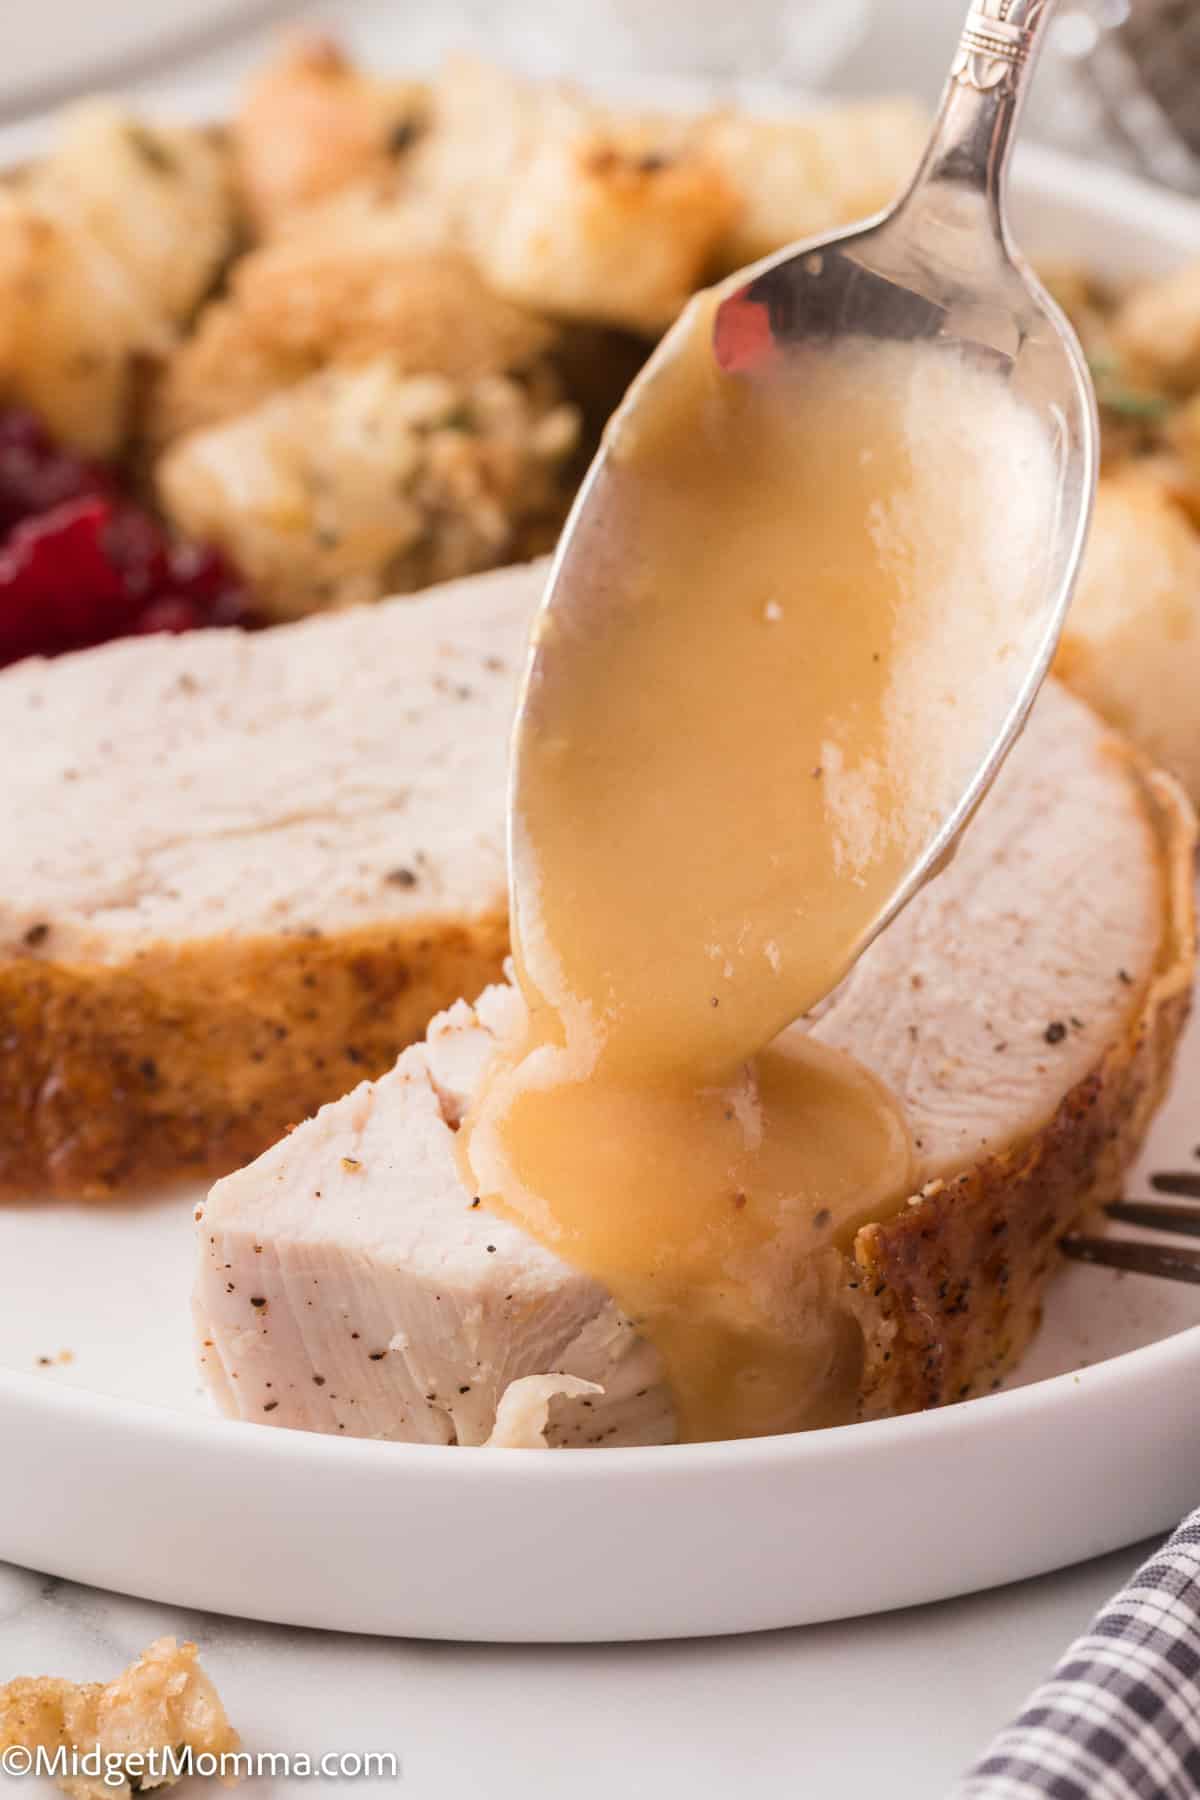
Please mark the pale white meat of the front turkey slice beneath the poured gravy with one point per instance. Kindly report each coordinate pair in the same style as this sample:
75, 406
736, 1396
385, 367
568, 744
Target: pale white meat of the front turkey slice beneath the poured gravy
352, 1284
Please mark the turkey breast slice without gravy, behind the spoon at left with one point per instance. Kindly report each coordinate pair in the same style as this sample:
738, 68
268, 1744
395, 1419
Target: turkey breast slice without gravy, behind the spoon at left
242, 872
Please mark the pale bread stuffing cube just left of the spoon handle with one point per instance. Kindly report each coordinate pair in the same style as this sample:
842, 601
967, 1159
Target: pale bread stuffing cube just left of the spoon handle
801, 177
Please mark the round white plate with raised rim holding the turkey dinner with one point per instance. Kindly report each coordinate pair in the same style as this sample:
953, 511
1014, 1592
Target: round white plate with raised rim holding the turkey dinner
116, 1473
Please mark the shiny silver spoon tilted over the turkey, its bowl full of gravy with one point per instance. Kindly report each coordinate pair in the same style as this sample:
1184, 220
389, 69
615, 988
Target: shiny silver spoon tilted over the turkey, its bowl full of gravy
938, 267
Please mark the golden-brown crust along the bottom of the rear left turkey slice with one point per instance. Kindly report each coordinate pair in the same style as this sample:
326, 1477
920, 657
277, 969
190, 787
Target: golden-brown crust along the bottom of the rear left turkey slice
195, 1057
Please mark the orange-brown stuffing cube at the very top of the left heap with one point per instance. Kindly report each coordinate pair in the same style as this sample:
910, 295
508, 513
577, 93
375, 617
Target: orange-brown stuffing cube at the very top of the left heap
314, 123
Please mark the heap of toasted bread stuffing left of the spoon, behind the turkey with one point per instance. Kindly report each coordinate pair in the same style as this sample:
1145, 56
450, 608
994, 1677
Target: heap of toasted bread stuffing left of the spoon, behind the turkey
400, 377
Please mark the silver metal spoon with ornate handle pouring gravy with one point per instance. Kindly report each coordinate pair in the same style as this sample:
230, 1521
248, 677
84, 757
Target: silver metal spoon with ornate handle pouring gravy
938, 265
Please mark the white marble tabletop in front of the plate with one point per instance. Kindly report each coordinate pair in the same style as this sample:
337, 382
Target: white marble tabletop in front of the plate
891, 1705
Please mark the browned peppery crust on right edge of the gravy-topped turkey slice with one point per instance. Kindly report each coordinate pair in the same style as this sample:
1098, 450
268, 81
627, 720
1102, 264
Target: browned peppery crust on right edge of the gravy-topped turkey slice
949, 1293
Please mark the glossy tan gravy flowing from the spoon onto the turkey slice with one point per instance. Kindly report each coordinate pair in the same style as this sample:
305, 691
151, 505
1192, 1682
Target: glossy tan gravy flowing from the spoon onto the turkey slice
809, 606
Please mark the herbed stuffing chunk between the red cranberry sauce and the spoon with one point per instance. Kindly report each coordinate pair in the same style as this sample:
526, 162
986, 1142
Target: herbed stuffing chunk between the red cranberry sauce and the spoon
368, 481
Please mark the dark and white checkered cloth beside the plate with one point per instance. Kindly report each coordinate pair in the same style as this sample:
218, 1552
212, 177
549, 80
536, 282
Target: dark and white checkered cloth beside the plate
1120, 1718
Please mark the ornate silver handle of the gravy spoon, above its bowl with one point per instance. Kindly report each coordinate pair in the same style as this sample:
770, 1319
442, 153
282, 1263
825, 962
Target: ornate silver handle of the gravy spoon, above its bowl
983, 98
